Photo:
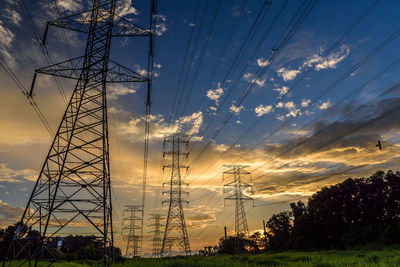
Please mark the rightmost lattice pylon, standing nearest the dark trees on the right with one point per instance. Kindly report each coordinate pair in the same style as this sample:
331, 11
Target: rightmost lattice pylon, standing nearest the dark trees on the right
234, 191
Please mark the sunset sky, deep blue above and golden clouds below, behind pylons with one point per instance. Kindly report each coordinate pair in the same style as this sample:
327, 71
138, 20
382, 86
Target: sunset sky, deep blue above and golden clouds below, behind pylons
301, 100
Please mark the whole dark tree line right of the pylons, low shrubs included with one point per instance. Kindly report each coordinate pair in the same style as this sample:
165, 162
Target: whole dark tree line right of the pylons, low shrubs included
354, 212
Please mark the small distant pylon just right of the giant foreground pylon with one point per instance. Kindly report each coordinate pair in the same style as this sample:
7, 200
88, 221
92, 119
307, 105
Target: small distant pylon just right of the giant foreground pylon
131, 224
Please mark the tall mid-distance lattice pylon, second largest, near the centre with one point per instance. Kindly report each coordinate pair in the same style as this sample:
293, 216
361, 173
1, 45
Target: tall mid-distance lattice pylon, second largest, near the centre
175, 232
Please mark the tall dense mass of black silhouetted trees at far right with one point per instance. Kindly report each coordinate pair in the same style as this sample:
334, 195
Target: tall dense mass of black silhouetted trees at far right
356, 211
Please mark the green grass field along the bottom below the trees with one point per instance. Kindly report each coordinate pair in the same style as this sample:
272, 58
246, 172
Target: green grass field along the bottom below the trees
384, 256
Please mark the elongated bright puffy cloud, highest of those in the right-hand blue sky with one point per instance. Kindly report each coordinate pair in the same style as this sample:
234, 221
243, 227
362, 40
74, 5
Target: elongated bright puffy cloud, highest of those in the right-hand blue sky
329, 62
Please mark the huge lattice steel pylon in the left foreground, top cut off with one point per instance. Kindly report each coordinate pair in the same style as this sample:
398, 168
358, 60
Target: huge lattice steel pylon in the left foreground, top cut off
73, 188
